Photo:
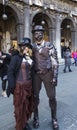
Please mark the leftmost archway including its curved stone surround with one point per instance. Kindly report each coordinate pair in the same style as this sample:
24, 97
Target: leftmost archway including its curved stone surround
11, 27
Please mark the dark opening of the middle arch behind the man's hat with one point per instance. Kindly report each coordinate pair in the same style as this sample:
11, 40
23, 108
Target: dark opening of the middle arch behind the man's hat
43, 19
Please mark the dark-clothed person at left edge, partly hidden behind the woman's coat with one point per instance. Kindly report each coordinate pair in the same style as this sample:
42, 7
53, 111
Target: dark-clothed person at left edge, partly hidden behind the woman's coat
4, 64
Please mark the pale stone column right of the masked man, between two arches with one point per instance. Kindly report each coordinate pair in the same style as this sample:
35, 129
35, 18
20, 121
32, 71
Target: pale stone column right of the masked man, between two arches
58, 36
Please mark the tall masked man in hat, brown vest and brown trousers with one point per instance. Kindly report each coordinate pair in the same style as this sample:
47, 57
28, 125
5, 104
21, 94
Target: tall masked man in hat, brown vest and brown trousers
46, 71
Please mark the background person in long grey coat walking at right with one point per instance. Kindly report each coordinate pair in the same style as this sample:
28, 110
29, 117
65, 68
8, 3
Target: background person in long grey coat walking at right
67, 58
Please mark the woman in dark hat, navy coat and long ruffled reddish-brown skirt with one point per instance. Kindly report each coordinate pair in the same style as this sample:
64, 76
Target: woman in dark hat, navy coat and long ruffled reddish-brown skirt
20, 84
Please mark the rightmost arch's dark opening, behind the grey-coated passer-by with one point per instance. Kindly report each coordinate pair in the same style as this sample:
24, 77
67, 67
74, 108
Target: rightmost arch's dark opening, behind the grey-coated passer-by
66, 35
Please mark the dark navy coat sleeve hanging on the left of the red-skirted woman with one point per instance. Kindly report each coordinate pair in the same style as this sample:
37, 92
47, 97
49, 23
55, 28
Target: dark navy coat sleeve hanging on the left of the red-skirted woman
14, 66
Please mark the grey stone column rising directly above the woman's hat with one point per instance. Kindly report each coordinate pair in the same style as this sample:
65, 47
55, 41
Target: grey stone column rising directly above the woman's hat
26, 21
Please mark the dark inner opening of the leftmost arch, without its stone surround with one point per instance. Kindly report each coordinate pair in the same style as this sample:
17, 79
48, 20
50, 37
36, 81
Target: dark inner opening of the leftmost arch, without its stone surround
8, 26
